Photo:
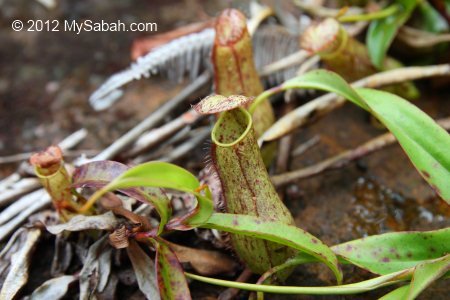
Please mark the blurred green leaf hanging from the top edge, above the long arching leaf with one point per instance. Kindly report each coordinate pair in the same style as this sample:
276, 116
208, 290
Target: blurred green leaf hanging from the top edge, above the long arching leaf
381, 32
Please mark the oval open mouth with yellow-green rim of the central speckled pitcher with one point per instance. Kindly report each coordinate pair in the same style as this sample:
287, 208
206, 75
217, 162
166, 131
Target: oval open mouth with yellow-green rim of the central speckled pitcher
231, 127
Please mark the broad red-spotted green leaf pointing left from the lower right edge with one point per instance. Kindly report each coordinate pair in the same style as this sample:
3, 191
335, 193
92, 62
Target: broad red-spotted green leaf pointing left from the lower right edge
391, 252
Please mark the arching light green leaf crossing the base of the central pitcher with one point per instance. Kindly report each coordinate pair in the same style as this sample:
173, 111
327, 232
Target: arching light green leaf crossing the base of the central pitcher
277, 232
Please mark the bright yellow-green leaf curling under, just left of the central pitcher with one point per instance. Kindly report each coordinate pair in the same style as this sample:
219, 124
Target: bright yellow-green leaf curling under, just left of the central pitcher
166, 175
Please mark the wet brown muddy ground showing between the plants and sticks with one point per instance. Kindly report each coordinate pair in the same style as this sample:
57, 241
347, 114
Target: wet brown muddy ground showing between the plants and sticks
47, 77
